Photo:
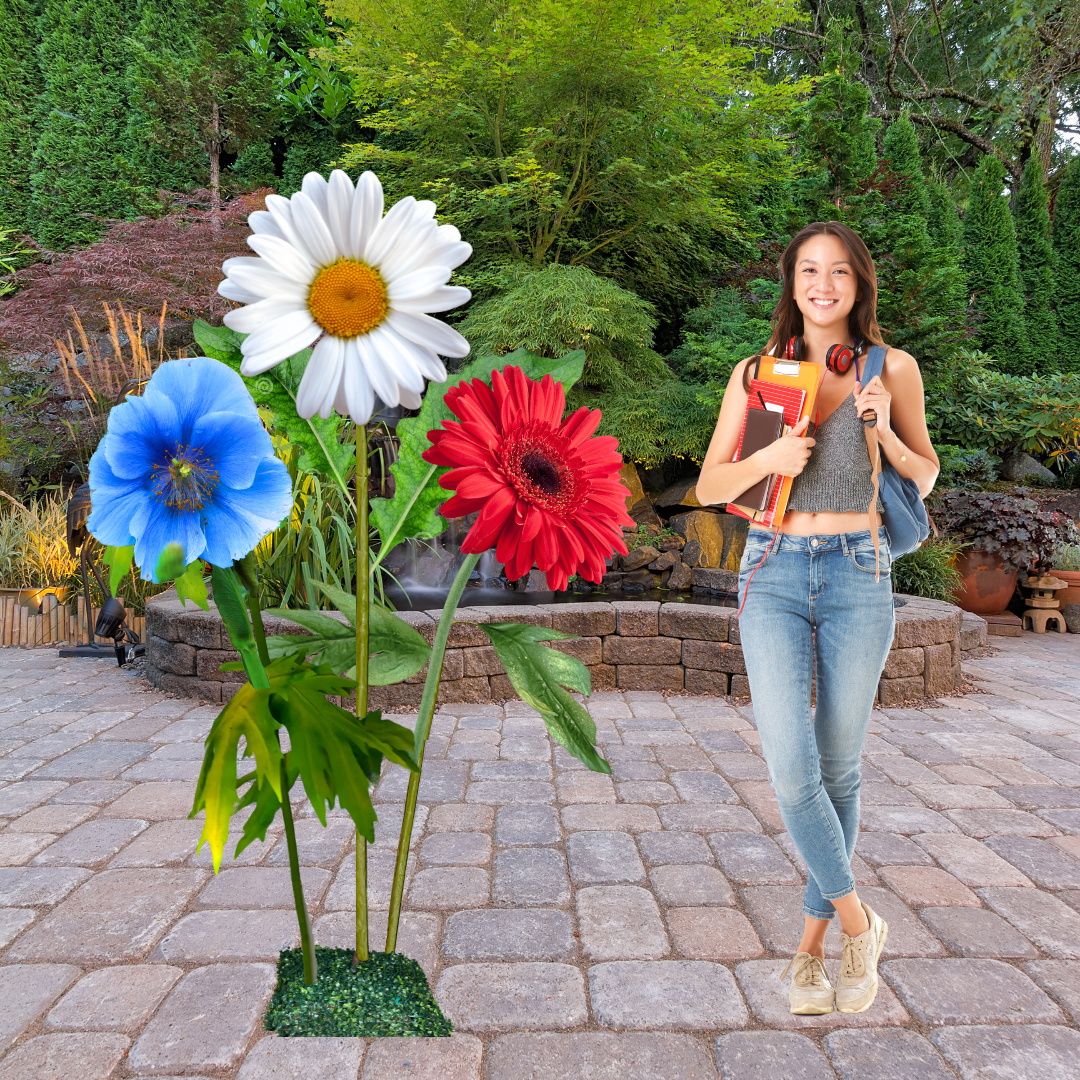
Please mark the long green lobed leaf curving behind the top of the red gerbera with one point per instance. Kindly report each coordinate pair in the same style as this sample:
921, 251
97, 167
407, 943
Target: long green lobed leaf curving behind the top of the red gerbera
413, 514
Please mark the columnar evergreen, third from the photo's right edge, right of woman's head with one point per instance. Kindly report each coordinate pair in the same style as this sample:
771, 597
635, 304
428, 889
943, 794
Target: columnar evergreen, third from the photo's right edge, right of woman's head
991, 262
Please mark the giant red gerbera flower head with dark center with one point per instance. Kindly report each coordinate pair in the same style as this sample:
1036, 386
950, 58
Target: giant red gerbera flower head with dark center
548, 493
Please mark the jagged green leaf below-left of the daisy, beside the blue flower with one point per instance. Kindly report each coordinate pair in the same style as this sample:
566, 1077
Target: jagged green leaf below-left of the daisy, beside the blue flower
320, 441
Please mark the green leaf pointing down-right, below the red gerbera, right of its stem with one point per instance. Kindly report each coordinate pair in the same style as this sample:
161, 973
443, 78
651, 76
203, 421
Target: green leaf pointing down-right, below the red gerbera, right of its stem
538, 674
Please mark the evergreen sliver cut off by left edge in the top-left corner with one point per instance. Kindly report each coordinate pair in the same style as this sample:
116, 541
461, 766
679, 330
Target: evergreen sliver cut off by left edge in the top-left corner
20, 85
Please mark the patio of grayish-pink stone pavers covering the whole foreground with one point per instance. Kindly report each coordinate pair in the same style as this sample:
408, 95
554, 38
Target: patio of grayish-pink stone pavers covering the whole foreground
574, 926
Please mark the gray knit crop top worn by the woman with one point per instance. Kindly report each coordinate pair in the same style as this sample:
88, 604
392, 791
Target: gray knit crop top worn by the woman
839, 478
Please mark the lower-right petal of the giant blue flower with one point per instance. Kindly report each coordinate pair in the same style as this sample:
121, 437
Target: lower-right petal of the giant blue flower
238, 521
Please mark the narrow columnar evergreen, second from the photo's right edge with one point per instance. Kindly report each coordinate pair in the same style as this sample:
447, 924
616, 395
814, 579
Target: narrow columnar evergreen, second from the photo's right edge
1037, 268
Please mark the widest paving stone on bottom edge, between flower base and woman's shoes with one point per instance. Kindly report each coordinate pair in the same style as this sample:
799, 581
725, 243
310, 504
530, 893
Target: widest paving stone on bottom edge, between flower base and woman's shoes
595, 1056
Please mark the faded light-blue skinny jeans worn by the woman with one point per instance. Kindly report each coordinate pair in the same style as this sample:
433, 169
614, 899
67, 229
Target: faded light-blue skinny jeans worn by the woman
815, 602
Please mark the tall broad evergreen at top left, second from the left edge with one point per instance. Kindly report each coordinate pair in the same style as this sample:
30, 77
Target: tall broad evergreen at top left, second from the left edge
79, 177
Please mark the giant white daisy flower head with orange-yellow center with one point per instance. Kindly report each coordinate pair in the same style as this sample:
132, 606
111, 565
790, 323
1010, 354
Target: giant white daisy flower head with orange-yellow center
332, 267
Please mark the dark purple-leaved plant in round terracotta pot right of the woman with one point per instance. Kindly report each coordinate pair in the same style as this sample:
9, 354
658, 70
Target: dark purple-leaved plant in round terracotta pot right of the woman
1003, 535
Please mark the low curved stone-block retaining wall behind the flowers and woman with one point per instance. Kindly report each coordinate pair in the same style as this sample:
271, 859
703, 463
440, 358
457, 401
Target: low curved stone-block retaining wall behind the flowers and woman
627, 645
